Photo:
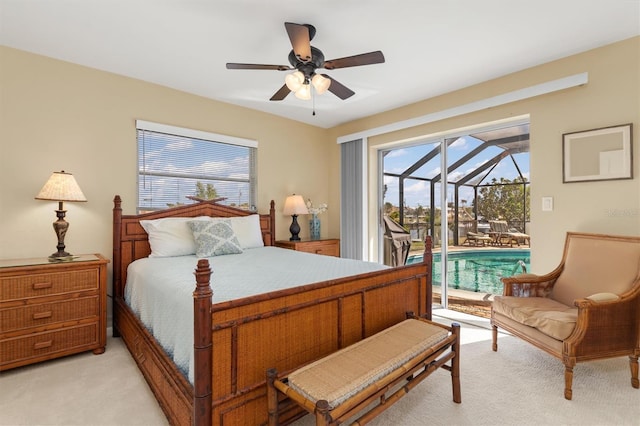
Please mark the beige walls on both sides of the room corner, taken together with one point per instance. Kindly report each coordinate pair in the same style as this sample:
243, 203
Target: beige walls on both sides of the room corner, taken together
55, 115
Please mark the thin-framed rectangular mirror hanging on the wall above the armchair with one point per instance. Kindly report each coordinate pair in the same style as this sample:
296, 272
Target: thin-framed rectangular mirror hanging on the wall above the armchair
597, 154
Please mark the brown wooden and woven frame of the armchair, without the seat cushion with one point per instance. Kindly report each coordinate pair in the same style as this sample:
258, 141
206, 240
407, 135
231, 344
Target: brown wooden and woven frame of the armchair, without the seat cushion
604, 329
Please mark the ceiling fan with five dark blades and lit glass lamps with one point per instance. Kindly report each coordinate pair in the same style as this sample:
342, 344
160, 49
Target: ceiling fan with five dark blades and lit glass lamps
306, 59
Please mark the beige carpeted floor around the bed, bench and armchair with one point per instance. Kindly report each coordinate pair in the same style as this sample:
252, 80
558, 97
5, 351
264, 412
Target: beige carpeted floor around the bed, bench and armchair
518, 385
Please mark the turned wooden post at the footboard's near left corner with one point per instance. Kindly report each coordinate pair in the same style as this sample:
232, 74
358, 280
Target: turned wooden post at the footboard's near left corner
202, 345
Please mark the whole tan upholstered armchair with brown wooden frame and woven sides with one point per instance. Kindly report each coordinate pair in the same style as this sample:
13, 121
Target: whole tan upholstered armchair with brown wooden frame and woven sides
587, 308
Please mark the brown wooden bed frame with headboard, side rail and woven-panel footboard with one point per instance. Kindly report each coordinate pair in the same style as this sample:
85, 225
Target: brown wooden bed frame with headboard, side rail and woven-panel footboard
235, 342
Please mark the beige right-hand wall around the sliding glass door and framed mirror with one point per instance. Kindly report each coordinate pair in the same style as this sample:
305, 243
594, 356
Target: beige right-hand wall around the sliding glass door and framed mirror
611, 97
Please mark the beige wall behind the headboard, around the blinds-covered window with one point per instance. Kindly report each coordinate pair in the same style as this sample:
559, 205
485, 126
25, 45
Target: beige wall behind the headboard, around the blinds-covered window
60, 116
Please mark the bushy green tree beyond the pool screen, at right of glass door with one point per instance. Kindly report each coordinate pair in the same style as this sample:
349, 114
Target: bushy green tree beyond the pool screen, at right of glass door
504, 199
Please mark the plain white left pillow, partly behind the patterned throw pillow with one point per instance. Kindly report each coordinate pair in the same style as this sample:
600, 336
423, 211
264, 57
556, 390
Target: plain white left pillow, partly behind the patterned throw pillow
171, 236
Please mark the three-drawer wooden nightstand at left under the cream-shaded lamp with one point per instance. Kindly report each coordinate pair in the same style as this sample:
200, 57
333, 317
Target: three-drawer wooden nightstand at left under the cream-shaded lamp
48, 310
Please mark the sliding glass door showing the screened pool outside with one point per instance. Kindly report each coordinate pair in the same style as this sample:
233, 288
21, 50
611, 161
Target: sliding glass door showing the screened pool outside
450, 189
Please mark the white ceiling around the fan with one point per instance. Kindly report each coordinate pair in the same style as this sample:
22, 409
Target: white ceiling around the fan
431, 46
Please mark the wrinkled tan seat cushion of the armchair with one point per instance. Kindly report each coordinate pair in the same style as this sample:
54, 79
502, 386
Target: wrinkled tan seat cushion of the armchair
546, 315
